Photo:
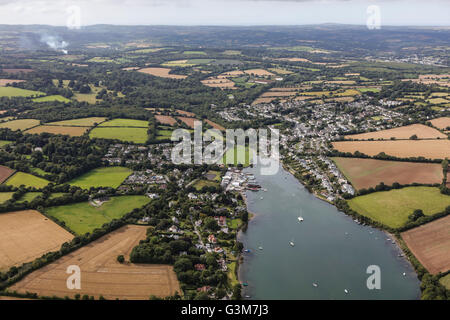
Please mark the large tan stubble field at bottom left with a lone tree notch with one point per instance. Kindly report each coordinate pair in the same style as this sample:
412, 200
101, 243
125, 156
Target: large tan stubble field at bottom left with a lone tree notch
101, 274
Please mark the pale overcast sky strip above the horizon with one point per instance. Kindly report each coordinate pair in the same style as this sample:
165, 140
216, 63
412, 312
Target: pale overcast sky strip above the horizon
224, 12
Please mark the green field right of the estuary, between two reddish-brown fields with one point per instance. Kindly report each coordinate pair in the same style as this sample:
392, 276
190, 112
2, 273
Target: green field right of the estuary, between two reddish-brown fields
392, 208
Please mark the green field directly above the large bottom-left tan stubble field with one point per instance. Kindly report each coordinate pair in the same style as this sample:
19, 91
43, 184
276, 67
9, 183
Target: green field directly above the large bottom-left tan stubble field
84, 217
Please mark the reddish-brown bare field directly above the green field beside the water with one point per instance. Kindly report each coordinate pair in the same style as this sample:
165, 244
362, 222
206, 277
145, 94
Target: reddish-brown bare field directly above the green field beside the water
366, 173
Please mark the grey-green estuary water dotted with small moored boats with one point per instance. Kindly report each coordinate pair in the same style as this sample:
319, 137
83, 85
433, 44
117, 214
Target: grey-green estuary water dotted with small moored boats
331, 252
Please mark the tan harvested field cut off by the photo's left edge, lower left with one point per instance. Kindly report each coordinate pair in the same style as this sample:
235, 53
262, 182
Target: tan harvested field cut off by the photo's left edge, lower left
27, 235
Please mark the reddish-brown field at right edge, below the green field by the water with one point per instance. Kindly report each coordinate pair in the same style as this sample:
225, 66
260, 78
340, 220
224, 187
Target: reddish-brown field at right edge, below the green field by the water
430, 244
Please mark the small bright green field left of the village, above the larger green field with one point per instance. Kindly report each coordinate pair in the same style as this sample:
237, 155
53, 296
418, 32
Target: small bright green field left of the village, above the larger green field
102, 177
